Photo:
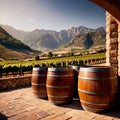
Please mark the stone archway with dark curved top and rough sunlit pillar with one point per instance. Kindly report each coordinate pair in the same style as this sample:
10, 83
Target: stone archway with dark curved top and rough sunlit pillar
112, 32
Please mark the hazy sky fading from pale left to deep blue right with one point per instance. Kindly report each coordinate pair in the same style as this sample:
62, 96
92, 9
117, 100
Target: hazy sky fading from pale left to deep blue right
50, 14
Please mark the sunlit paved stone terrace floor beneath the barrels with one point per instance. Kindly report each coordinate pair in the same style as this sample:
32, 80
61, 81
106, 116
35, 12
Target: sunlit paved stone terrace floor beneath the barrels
20, 104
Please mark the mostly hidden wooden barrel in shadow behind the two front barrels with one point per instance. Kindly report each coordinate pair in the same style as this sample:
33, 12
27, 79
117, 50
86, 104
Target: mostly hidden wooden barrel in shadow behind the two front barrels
75, 71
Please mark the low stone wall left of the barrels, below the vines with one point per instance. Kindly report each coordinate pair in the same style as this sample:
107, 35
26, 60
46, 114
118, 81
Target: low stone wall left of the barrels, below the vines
15, 82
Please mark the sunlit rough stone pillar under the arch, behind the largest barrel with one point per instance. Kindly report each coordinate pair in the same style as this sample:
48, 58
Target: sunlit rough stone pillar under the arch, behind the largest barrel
111, 42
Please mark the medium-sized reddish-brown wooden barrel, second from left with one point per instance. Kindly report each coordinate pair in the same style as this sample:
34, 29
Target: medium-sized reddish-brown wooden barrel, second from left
60, 85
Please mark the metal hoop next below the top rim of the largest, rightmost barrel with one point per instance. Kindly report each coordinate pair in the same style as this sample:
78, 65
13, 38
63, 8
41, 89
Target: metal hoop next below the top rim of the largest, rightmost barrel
89, 78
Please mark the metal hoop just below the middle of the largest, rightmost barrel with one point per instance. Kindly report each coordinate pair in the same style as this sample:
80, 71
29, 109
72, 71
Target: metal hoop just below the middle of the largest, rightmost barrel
97, 93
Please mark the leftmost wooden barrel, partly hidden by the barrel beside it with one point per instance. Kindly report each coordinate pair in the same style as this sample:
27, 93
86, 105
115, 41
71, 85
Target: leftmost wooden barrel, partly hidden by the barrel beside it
38, 81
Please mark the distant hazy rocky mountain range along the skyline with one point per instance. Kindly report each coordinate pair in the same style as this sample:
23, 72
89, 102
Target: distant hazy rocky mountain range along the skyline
41, 39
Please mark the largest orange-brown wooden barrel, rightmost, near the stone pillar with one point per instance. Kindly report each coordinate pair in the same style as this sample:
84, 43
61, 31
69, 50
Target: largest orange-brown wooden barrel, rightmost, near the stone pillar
97, 88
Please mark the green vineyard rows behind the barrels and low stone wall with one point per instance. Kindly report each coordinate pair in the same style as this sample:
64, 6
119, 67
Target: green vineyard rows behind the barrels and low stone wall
20, 69
